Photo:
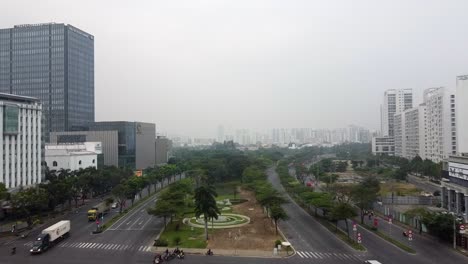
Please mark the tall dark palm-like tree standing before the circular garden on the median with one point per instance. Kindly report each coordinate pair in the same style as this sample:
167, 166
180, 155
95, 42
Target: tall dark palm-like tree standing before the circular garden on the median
205, 204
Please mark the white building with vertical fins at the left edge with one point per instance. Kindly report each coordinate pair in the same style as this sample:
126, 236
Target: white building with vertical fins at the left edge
20, 140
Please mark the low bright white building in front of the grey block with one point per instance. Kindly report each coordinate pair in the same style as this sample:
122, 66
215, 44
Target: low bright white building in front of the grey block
72, 156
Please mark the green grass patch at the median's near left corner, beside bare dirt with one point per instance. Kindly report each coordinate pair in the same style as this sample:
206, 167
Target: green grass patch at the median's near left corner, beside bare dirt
177, 234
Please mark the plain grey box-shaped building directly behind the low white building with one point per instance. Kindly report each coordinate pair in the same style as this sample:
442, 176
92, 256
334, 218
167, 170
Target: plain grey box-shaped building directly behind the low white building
109, 142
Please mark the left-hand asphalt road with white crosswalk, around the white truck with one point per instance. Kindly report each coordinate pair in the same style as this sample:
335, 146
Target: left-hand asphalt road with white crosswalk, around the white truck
129, 238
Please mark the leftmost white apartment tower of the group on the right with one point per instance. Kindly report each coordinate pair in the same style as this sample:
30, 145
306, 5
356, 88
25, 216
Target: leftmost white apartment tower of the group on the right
395, 101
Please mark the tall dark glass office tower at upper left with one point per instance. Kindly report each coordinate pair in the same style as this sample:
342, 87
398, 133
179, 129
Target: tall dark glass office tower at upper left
54, 63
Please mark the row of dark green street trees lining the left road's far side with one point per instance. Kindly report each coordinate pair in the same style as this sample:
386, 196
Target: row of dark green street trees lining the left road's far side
63, 187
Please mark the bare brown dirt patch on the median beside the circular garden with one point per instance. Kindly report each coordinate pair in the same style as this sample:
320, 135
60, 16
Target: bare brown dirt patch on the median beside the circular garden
259, 234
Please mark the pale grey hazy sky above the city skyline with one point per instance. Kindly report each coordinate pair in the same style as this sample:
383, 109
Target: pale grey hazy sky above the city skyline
191, 65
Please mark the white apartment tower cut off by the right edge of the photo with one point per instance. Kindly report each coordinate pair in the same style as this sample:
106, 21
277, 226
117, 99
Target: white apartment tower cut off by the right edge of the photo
462, 114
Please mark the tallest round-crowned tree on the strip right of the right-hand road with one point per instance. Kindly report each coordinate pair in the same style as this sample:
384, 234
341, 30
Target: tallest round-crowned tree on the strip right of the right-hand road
364, 194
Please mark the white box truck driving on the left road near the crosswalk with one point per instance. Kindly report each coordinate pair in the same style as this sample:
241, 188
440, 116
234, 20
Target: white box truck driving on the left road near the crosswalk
51, 236
